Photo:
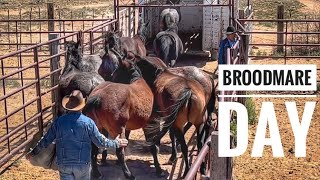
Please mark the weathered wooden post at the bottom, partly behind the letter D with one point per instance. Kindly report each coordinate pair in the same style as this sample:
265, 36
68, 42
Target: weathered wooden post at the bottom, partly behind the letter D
221, 167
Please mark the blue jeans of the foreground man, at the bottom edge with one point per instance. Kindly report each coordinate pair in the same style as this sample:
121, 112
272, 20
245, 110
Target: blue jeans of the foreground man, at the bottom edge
75, 172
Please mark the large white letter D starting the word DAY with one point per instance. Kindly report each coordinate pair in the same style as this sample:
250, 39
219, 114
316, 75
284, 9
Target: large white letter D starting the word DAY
224, 129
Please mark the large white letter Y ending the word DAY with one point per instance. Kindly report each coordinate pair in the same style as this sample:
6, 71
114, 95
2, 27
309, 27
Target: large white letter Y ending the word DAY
300, 130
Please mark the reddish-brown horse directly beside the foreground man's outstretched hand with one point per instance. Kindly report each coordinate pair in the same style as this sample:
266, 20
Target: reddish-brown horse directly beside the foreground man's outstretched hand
118, 107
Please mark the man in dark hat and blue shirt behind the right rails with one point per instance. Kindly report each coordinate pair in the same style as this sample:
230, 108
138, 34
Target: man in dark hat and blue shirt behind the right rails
228, 42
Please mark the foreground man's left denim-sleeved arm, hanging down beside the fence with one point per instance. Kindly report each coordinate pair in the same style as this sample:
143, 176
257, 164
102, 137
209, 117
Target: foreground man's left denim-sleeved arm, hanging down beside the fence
47, 139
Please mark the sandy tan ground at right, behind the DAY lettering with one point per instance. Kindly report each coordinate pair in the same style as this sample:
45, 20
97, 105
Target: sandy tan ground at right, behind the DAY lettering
288, 167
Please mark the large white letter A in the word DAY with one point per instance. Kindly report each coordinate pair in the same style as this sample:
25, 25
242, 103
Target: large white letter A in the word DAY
267, 116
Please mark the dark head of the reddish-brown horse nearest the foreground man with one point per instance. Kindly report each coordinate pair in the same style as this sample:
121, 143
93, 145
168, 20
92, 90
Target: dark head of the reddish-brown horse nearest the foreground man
127, 72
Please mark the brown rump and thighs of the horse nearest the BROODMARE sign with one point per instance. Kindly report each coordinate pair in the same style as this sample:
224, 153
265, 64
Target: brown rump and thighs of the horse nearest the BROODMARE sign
169, 86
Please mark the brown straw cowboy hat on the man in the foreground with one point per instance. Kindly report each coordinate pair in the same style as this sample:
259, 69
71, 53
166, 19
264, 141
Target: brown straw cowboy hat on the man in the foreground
74, 101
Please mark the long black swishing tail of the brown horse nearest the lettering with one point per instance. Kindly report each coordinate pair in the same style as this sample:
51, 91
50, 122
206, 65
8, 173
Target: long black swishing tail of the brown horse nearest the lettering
184, 98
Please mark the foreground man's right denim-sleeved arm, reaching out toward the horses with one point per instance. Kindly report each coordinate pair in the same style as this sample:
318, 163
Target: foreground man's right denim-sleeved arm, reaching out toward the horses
99, 139
